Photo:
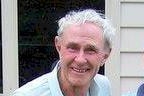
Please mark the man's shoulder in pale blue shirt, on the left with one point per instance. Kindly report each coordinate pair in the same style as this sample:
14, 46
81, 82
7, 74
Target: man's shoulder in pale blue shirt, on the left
35, 87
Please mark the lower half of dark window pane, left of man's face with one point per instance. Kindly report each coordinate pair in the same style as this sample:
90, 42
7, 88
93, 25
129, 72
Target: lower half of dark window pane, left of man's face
35, 60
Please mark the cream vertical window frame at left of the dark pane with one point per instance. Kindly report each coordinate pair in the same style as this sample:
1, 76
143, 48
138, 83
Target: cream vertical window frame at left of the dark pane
9, 46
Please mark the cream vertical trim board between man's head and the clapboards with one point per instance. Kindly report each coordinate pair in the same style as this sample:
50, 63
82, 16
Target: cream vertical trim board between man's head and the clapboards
112, 68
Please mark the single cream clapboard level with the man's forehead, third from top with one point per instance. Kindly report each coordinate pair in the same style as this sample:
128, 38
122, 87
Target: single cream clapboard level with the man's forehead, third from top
132, 39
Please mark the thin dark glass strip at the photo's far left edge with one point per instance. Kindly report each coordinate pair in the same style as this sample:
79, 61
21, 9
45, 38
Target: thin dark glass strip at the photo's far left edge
1, 79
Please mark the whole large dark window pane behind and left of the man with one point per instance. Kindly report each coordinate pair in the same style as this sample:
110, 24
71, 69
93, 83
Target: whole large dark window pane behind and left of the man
37, 29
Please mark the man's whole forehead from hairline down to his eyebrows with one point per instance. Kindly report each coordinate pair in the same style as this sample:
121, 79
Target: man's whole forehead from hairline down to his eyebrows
84, 34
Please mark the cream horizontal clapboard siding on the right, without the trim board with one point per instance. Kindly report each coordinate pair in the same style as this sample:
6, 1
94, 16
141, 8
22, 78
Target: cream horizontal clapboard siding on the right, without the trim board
132, 44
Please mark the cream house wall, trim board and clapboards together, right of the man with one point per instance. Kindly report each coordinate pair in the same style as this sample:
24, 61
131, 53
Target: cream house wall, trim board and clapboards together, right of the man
126, 65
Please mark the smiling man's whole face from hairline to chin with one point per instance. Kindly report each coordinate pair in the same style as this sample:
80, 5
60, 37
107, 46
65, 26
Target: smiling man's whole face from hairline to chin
81, 53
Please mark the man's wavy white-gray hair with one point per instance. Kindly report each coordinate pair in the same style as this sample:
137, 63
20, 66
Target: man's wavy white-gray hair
88, 15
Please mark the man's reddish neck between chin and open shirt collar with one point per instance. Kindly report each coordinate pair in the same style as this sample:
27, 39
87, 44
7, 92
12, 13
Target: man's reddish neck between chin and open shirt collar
70, 90
